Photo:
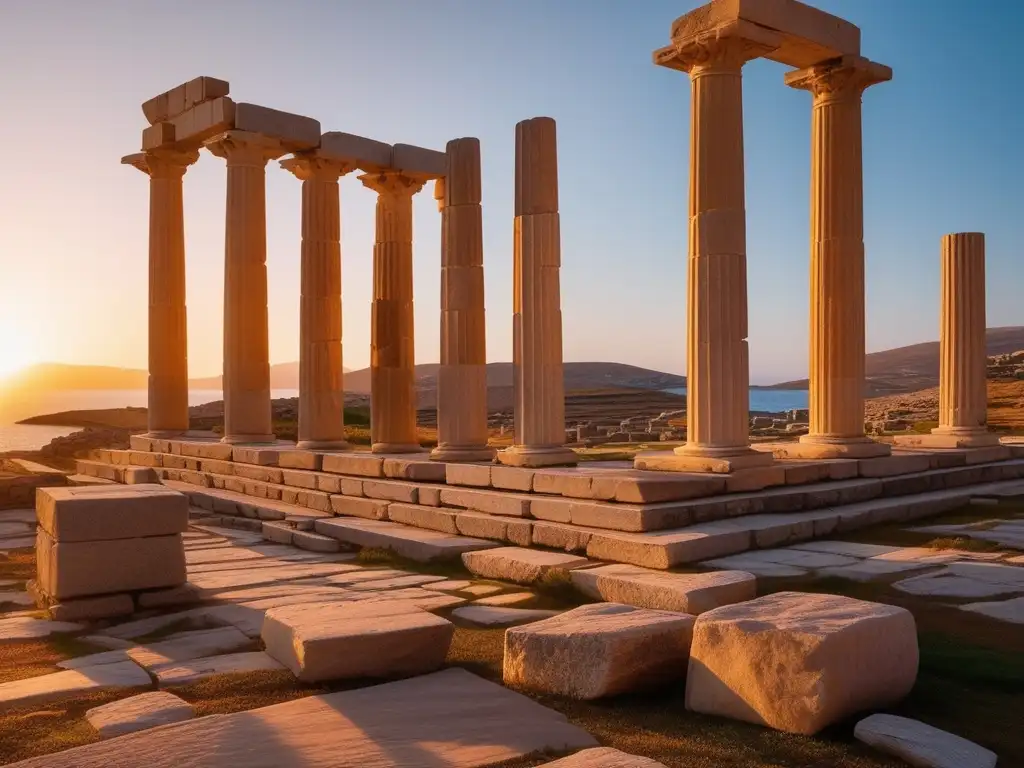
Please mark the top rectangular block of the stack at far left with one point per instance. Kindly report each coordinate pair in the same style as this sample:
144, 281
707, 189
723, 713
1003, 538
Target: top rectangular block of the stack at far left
107, 513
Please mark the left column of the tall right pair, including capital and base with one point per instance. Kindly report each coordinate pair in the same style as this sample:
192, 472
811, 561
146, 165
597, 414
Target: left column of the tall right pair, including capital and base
718, 364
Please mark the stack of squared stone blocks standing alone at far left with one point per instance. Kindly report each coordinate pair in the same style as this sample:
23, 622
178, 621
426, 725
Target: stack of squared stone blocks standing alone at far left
101, 548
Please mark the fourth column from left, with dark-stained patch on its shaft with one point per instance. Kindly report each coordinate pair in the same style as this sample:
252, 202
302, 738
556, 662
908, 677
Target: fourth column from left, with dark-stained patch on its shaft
393, 360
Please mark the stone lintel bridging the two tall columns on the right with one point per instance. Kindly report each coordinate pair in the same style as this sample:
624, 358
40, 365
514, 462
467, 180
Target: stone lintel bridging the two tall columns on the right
808, 35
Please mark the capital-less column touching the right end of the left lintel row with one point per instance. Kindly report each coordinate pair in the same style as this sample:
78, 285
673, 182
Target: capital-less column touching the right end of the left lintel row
462, 379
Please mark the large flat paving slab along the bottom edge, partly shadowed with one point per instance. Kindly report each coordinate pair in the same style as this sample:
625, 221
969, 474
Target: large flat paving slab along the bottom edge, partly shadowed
471, 722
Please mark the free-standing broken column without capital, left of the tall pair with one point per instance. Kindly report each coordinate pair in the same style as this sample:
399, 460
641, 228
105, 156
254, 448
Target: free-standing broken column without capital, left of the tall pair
537, 320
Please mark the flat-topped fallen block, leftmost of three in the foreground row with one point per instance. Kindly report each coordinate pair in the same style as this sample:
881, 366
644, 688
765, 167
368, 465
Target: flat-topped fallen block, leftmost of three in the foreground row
337, 642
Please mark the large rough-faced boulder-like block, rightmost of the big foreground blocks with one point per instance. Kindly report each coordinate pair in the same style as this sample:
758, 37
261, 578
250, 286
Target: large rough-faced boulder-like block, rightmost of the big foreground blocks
831, 658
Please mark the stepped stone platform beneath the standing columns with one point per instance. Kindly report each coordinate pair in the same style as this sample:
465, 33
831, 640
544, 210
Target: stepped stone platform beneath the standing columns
428, 510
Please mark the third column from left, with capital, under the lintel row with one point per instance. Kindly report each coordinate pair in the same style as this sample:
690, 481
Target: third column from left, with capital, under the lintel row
322, 393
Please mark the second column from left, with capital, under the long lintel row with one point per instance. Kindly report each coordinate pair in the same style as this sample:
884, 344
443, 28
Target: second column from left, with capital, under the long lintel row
247, 363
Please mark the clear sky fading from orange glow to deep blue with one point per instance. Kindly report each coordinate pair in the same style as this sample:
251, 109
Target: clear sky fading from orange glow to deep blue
944, 152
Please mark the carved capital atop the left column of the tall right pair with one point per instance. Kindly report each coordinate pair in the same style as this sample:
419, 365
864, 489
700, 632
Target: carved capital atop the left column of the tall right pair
724, 50
